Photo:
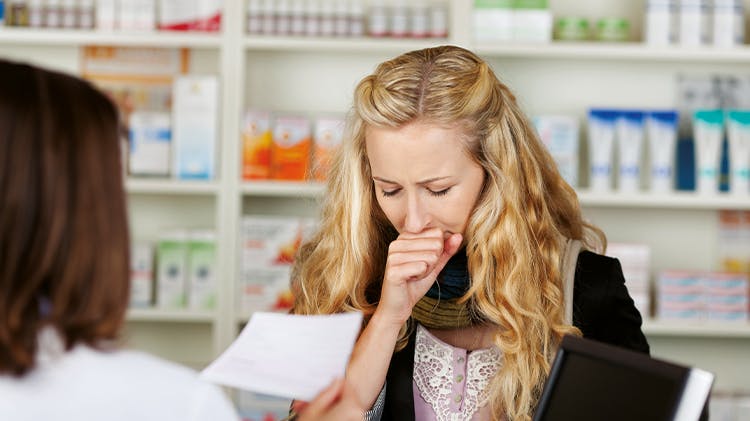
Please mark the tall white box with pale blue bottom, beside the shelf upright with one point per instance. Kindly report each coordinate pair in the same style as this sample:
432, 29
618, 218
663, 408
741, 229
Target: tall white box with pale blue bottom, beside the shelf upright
194, 126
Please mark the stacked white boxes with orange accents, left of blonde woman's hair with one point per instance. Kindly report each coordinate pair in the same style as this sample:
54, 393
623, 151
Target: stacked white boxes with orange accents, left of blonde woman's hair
269, 245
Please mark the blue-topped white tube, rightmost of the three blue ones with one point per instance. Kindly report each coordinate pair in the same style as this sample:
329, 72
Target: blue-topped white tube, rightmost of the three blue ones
661, 128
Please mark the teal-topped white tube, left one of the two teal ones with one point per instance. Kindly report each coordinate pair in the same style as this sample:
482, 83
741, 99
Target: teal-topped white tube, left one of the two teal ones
708, 131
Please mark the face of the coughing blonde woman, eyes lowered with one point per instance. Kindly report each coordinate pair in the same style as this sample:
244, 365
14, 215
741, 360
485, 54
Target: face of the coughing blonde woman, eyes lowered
423, 177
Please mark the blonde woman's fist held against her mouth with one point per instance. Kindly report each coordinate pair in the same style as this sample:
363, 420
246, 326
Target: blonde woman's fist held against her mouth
414, 261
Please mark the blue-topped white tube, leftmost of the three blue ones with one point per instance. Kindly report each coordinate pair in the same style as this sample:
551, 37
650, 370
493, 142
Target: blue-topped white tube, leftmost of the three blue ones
602, 131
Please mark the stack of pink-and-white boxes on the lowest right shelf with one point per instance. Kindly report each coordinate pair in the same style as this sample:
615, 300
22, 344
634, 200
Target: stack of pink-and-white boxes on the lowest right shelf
694, 295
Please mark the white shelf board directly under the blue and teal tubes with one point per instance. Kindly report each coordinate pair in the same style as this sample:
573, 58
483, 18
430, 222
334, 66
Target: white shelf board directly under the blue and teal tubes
676, 200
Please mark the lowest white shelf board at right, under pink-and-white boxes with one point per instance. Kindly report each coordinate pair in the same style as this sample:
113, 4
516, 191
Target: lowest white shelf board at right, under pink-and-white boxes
697, 329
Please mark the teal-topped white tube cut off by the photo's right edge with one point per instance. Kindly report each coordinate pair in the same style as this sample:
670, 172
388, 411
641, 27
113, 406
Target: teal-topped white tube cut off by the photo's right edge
738, 130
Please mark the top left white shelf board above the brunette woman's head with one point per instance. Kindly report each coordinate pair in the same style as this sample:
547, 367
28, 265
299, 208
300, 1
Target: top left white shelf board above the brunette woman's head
76, 37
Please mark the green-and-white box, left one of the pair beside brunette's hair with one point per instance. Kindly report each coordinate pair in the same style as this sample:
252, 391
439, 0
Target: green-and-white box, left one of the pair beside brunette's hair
171, 279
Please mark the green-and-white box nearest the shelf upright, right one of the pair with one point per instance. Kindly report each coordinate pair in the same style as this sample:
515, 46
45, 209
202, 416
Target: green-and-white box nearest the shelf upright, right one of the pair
202, 270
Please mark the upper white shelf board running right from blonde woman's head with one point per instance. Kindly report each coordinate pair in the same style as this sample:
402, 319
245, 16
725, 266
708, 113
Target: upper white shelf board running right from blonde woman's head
618, 51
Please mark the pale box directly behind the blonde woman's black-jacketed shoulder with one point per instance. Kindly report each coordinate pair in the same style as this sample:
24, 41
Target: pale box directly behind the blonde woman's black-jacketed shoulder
635, 260
